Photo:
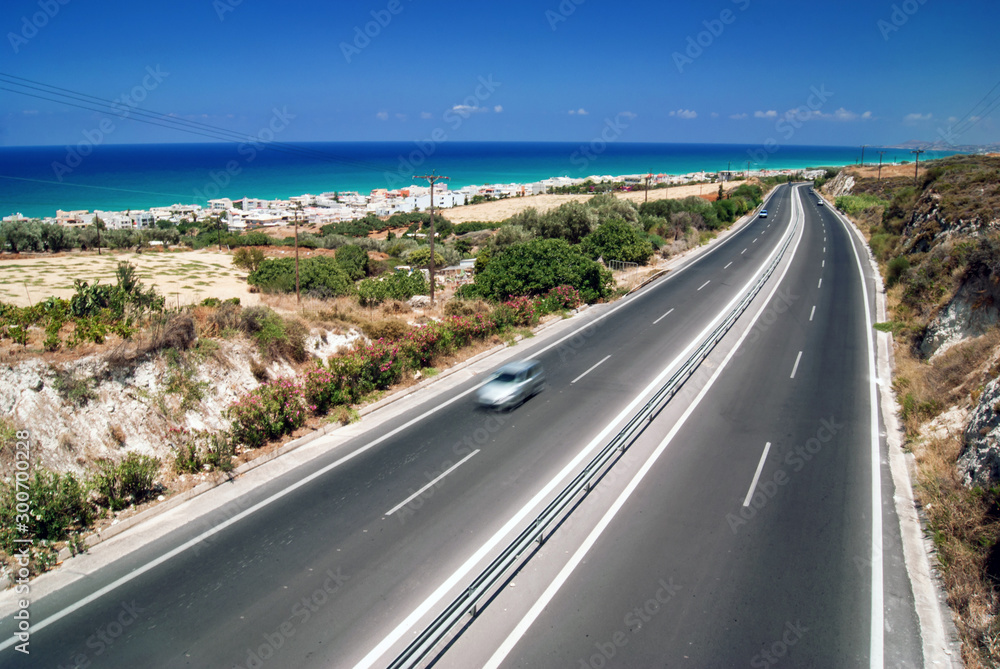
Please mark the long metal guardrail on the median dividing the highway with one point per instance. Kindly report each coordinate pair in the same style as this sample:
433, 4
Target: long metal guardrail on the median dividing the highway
467, 602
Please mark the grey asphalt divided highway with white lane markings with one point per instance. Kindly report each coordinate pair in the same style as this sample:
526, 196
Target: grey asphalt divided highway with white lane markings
338, 562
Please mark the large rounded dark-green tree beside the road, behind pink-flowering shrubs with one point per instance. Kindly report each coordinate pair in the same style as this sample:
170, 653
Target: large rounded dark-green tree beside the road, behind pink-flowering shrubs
535, 267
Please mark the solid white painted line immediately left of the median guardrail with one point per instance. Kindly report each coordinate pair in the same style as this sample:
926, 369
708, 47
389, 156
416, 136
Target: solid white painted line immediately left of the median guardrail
406, 626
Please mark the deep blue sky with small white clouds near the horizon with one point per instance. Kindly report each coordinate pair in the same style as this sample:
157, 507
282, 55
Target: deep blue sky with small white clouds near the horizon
873, 72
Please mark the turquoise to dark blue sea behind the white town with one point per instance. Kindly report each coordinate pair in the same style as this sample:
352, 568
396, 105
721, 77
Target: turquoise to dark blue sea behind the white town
38, 181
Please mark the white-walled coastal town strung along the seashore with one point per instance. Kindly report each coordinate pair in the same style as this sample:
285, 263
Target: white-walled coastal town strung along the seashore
249, 213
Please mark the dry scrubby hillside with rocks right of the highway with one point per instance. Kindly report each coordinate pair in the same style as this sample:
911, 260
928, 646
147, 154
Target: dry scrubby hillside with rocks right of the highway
932, 238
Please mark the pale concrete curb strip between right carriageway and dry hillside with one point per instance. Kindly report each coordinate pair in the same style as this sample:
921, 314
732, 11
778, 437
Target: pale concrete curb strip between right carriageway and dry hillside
941, 643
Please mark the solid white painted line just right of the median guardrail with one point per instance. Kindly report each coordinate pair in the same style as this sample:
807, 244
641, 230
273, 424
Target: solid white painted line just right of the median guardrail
508, 645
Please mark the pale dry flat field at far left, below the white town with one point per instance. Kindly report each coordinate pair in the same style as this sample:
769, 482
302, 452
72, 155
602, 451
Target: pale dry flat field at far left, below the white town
183, 277
